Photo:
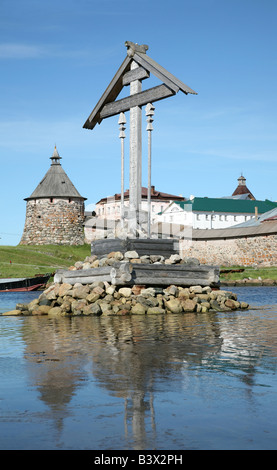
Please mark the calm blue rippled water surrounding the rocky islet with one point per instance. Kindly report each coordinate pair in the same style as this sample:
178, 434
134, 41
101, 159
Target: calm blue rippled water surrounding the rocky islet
175, 382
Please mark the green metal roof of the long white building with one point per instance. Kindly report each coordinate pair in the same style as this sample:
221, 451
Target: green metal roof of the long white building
205, 204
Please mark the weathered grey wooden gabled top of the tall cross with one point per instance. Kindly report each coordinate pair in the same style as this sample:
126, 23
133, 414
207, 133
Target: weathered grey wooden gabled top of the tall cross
108, 106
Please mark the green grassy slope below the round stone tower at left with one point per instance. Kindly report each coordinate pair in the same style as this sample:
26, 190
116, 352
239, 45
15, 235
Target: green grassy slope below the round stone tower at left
27, 261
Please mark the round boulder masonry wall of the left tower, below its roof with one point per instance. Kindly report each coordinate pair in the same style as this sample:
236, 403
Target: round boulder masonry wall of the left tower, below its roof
56, 222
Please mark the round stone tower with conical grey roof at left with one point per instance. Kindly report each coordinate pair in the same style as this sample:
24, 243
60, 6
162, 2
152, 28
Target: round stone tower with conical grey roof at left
55, 210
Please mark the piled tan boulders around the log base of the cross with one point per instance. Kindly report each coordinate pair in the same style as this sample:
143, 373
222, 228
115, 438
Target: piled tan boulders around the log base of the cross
103, 298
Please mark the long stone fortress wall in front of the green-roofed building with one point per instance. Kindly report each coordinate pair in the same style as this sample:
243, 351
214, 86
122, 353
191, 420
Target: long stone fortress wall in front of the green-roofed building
245, 251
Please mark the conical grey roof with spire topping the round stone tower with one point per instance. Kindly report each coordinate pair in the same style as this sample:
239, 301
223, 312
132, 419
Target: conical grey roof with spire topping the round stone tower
55, 183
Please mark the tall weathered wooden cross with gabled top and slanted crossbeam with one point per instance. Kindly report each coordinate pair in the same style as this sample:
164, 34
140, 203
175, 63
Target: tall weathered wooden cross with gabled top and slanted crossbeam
137, 66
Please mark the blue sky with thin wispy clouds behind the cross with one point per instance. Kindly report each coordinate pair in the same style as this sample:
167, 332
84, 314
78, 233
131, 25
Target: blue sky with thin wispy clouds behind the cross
58, 57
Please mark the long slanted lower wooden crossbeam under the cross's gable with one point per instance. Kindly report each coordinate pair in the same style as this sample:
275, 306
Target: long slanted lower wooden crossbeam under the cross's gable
139, 99
